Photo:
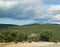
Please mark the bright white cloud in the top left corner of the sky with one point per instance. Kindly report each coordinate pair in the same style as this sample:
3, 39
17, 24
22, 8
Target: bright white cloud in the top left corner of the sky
7, 4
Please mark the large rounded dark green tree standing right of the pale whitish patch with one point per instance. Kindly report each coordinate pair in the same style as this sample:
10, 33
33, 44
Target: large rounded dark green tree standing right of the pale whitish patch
46, 35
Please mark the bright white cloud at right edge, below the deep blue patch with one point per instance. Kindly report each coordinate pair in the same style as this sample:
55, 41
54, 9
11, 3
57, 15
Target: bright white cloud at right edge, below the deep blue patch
54, 12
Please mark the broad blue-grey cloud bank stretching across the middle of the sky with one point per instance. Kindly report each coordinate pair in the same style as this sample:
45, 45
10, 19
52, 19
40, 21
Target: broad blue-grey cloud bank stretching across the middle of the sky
33, 10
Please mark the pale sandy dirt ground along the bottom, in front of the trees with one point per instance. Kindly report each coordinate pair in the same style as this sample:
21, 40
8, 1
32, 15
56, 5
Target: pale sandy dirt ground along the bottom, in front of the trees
34, 44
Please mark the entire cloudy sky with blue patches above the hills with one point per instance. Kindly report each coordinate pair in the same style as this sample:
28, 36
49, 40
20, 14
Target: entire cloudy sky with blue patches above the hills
22, 12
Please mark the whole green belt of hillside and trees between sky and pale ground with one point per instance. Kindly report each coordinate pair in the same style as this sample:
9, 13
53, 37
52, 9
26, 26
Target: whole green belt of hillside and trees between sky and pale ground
51, 32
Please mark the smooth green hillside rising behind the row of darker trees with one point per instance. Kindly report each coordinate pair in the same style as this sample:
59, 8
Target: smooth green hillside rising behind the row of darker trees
36, 28
